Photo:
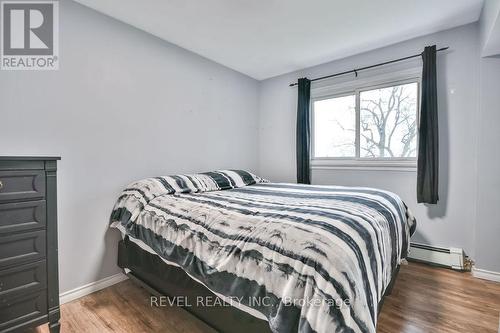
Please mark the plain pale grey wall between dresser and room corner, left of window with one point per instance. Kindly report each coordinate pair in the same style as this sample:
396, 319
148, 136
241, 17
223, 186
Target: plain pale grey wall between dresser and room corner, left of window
124, 105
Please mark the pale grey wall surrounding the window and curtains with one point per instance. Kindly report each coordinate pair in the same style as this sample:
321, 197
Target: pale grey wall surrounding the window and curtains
451, 222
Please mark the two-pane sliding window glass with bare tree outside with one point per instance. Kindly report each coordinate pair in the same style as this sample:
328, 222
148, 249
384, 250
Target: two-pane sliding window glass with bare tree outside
375, 123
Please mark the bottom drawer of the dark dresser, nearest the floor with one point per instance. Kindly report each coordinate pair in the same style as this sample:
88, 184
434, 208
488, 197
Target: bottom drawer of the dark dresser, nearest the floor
22, 308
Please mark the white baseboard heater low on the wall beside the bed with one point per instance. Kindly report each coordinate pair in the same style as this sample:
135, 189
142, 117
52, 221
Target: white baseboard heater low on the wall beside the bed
453, 258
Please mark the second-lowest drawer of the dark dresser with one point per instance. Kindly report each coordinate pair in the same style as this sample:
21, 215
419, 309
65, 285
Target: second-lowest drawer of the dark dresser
23, 279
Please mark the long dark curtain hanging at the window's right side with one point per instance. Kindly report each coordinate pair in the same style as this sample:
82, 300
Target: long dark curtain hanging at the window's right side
428, 146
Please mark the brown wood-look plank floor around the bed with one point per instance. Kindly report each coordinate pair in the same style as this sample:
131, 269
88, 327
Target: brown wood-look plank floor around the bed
424, 299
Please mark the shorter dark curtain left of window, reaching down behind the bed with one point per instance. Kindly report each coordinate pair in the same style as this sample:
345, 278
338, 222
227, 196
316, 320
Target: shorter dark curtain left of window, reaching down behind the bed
303, 132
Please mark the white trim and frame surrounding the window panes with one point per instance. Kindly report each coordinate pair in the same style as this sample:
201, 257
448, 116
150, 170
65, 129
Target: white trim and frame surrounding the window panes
331, 89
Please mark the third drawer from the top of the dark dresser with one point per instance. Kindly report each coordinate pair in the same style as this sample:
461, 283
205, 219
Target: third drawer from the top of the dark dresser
22, 248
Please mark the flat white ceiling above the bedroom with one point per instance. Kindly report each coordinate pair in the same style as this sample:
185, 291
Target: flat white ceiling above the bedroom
265, 38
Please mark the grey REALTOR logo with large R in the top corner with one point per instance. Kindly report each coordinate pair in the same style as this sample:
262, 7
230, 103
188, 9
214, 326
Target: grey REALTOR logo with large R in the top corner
30, 35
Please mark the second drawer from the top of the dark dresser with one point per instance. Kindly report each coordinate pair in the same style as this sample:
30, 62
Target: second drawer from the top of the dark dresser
22, 216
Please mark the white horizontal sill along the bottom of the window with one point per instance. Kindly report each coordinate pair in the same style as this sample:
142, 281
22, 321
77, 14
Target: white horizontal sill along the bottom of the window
364, 165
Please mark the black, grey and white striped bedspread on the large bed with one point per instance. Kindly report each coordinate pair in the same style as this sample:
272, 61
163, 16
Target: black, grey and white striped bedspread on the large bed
305, 258
